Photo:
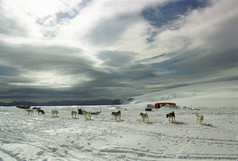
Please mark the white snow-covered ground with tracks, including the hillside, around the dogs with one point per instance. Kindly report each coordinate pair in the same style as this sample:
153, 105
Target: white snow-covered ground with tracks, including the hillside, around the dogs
43, 137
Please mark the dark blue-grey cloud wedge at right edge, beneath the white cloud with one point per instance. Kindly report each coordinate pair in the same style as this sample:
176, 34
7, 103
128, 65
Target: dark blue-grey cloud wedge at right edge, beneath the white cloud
208, 63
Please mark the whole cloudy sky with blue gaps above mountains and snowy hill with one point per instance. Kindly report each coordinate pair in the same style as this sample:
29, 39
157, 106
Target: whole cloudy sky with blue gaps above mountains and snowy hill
109, 49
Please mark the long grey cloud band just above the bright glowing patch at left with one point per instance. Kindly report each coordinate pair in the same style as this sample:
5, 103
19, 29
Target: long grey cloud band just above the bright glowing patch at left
61, 59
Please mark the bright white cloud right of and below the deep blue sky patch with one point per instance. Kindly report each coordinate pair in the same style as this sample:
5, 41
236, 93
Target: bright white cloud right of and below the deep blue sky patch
208, 30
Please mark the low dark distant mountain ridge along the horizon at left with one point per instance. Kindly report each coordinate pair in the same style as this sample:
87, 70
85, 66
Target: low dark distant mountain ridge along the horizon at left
63, 103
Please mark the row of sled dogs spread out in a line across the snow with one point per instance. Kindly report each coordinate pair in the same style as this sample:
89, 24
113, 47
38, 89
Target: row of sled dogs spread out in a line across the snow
117, 115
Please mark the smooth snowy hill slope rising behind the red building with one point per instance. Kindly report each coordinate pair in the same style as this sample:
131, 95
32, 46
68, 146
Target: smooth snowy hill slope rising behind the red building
220, 94
